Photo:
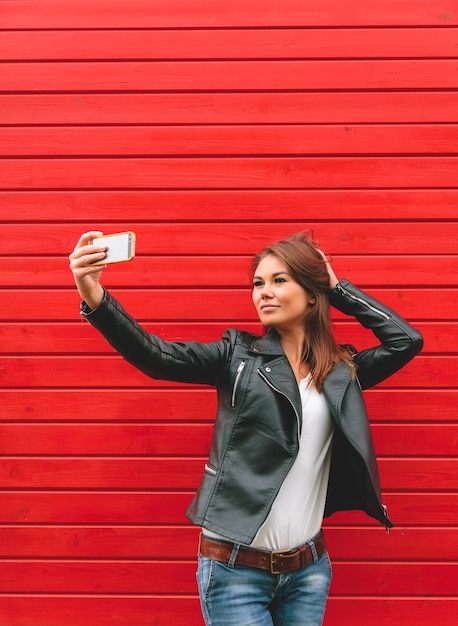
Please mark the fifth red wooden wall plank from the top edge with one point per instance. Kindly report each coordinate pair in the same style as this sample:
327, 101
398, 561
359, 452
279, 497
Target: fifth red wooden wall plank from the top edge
229, 140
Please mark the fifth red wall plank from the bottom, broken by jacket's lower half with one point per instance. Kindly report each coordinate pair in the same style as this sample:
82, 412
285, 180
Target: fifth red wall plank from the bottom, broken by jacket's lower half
116, 473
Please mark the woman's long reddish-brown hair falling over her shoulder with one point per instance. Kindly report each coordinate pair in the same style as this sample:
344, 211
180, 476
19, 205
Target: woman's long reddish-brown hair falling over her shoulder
308, 268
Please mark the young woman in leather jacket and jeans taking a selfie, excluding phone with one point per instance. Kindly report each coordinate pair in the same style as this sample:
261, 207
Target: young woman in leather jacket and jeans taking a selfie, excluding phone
291, 442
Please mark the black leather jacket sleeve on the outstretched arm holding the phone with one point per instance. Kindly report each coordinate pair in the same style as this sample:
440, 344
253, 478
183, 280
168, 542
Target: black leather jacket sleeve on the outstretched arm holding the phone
191, 362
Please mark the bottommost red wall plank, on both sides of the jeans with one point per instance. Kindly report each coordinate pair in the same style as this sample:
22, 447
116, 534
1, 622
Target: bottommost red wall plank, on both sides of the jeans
29, 610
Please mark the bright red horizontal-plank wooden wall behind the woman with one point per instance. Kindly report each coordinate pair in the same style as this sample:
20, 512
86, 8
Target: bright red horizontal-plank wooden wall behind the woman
211, 127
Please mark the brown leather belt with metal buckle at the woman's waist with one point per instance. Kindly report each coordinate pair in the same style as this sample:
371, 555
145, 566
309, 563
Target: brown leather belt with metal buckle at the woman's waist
276, 562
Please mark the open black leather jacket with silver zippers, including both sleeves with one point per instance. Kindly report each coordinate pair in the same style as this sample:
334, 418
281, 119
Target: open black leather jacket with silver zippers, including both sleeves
259, 417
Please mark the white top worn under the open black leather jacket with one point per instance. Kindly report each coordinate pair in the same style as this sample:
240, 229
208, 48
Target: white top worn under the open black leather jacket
297, 512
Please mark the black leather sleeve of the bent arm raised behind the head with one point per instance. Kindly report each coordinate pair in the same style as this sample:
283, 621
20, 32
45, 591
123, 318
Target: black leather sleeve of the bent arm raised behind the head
399, 341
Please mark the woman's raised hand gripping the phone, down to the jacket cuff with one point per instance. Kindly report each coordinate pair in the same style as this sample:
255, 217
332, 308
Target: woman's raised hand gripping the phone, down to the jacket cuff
87, 276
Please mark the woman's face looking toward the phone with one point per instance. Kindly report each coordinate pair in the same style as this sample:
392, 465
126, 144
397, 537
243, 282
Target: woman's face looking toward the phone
280, 301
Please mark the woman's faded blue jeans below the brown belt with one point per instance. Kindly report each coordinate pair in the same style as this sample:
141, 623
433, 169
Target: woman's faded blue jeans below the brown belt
247, 596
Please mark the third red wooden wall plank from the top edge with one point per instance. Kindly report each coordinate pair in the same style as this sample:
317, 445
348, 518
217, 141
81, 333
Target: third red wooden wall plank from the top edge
204, 76
